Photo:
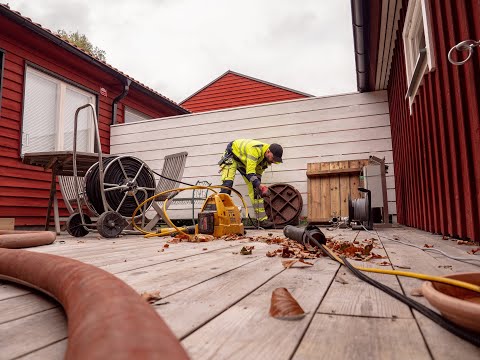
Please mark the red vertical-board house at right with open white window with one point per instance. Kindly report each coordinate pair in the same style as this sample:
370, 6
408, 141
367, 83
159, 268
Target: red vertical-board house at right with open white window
403, 46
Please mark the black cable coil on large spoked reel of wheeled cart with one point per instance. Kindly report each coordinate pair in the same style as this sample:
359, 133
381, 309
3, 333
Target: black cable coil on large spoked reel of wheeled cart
115, 175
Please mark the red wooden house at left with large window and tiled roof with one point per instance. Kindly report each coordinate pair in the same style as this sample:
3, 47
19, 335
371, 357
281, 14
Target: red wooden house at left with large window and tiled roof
43, 79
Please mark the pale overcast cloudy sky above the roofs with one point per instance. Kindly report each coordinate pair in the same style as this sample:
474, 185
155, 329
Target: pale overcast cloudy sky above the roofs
178, 46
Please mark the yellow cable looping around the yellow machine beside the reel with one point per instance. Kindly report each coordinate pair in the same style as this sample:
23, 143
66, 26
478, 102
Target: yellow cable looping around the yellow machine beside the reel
167, 218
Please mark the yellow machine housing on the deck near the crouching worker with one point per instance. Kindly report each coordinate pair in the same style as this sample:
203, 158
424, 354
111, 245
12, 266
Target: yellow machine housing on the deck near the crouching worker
219, 216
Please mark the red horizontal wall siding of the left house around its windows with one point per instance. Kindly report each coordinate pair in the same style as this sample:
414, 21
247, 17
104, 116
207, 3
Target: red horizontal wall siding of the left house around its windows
24, 190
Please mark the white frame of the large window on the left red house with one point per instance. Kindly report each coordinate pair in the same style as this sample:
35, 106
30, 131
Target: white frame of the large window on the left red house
62, 87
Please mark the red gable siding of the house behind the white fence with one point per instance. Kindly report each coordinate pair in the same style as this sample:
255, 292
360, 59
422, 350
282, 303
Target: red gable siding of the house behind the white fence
233, 90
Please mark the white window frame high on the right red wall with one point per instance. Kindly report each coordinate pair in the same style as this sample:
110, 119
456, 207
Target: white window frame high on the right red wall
417, 18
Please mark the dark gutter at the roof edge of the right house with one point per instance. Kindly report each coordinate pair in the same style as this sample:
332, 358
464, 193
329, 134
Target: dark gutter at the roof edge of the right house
360, 40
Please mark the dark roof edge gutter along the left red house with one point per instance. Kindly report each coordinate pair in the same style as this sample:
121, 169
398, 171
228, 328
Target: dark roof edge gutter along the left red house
72, 49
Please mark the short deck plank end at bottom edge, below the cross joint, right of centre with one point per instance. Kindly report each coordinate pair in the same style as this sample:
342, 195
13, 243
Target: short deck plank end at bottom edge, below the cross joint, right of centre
346, 337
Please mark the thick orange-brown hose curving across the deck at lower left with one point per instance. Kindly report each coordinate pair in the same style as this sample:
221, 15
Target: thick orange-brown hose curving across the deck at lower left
107, 319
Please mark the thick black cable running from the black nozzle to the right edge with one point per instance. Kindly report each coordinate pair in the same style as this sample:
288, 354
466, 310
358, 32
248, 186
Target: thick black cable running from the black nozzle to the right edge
432, 315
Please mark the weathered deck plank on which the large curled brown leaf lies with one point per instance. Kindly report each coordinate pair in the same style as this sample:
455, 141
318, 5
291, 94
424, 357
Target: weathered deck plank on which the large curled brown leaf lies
246, 330
